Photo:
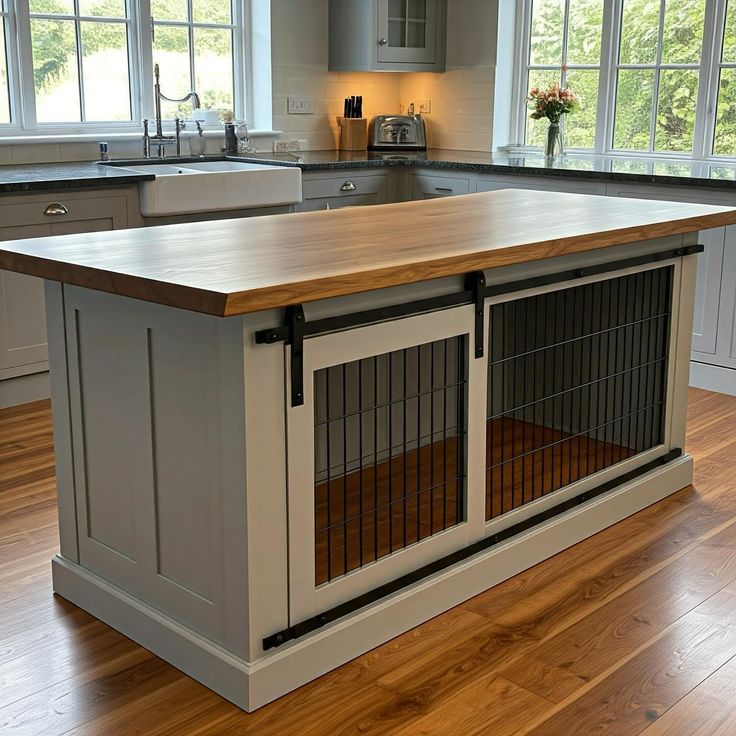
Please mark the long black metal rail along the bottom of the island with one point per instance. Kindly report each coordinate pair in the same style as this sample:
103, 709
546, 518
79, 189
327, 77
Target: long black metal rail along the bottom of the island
316, 622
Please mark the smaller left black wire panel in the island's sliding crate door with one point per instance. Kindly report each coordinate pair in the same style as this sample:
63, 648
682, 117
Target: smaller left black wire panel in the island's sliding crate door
389, 443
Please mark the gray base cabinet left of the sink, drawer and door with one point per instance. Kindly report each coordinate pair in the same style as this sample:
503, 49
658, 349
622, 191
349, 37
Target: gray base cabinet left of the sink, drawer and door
23, 349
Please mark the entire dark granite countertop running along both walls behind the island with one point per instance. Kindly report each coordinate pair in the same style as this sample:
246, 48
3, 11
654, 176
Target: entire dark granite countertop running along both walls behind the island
681, 172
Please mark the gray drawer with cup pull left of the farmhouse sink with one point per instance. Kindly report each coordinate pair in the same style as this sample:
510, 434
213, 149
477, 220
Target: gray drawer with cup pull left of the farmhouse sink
55, 210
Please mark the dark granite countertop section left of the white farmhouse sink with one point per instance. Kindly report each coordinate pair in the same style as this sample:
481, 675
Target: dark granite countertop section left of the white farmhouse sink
39, 177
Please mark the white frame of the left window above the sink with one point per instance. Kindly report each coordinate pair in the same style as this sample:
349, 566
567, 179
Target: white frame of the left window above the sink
251, 47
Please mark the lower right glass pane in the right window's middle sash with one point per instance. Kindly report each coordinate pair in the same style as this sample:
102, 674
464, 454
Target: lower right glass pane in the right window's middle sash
678, 91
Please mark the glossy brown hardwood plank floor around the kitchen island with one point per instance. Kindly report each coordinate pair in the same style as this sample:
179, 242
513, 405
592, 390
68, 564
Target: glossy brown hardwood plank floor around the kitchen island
631, 631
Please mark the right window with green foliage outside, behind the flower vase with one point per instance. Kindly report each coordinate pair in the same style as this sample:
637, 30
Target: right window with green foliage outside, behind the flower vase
645, 72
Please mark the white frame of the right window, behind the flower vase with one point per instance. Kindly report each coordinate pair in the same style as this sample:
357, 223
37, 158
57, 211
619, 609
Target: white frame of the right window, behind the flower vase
708, 78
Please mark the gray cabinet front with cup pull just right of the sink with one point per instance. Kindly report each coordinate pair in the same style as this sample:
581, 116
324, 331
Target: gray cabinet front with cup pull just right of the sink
351, 189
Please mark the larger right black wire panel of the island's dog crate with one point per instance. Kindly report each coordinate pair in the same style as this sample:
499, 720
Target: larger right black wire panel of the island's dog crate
577, 381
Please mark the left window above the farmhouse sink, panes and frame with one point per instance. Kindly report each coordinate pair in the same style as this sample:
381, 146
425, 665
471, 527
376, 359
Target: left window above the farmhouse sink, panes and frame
87, 65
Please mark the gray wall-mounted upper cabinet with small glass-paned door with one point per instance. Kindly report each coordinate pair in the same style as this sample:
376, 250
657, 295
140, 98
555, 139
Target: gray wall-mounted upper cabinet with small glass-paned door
388, 35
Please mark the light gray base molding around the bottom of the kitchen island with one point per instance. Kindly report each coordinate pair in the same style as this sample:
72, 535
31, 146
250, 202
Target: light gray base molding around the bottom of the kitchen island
252, 685
